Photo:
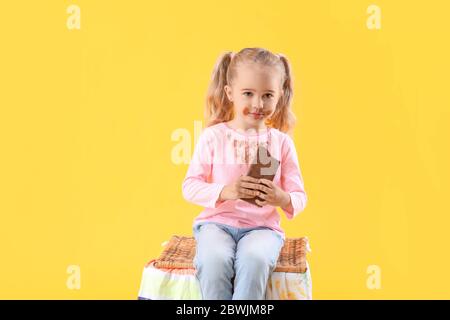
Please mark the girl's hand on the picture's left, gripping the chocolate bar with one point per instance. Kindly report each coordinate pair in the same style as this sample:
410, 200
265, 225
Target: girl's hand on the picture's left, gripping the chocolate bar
243, 187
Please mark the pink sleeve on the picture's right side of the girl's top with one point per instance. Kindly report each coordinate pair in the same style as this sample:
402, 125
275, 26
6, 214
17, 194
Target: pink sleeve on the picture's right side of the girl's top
291, 178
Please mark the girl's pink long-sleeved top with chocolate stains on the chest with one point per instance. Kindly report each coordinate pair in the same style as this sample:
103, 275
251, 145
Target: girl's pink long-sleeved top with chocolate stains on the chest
221, 155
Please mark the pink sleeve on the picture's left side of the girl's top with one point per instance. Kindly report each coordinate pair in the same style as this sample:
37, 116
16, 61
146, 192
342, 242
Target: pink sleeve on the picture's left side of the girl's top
196, 186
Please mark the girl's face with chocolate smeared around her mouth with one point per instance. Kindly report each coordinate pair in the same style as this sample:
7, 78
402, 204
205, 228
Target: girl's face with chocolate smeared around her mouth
255, 92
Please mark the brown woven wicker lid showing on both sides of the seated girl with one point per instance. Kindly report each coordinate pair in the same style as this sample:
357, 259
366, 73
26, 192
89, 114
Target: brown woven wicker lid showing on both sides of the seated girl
179, 253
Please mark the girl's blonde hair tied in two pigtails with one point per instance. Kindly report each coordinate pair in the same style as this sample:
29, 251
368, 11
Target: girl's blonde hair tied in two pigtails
220, 109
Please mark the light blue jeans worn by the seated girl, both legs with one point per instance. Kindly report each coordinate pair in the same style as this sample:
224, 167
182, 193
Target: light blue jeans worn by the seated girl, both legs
230, 258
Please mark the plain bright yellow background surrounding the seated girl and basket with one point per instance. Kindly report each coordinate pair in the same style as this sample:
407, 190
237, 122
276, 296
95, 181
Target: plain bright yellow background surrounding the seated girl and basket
86, 118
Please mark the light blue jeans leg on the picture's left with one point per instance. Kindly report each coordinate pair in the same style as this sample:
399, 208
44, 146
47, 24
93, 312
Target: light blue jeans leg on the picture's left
214, 259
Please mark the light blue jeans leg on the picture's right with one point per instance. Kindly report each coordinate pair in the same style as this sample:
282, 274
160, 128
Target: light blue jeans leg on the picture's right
256, 257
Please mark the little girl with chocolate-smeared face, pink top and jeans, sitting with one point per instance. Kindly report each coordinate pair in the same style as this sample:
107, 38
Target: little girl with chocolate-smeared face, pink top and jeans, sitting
237, 242
